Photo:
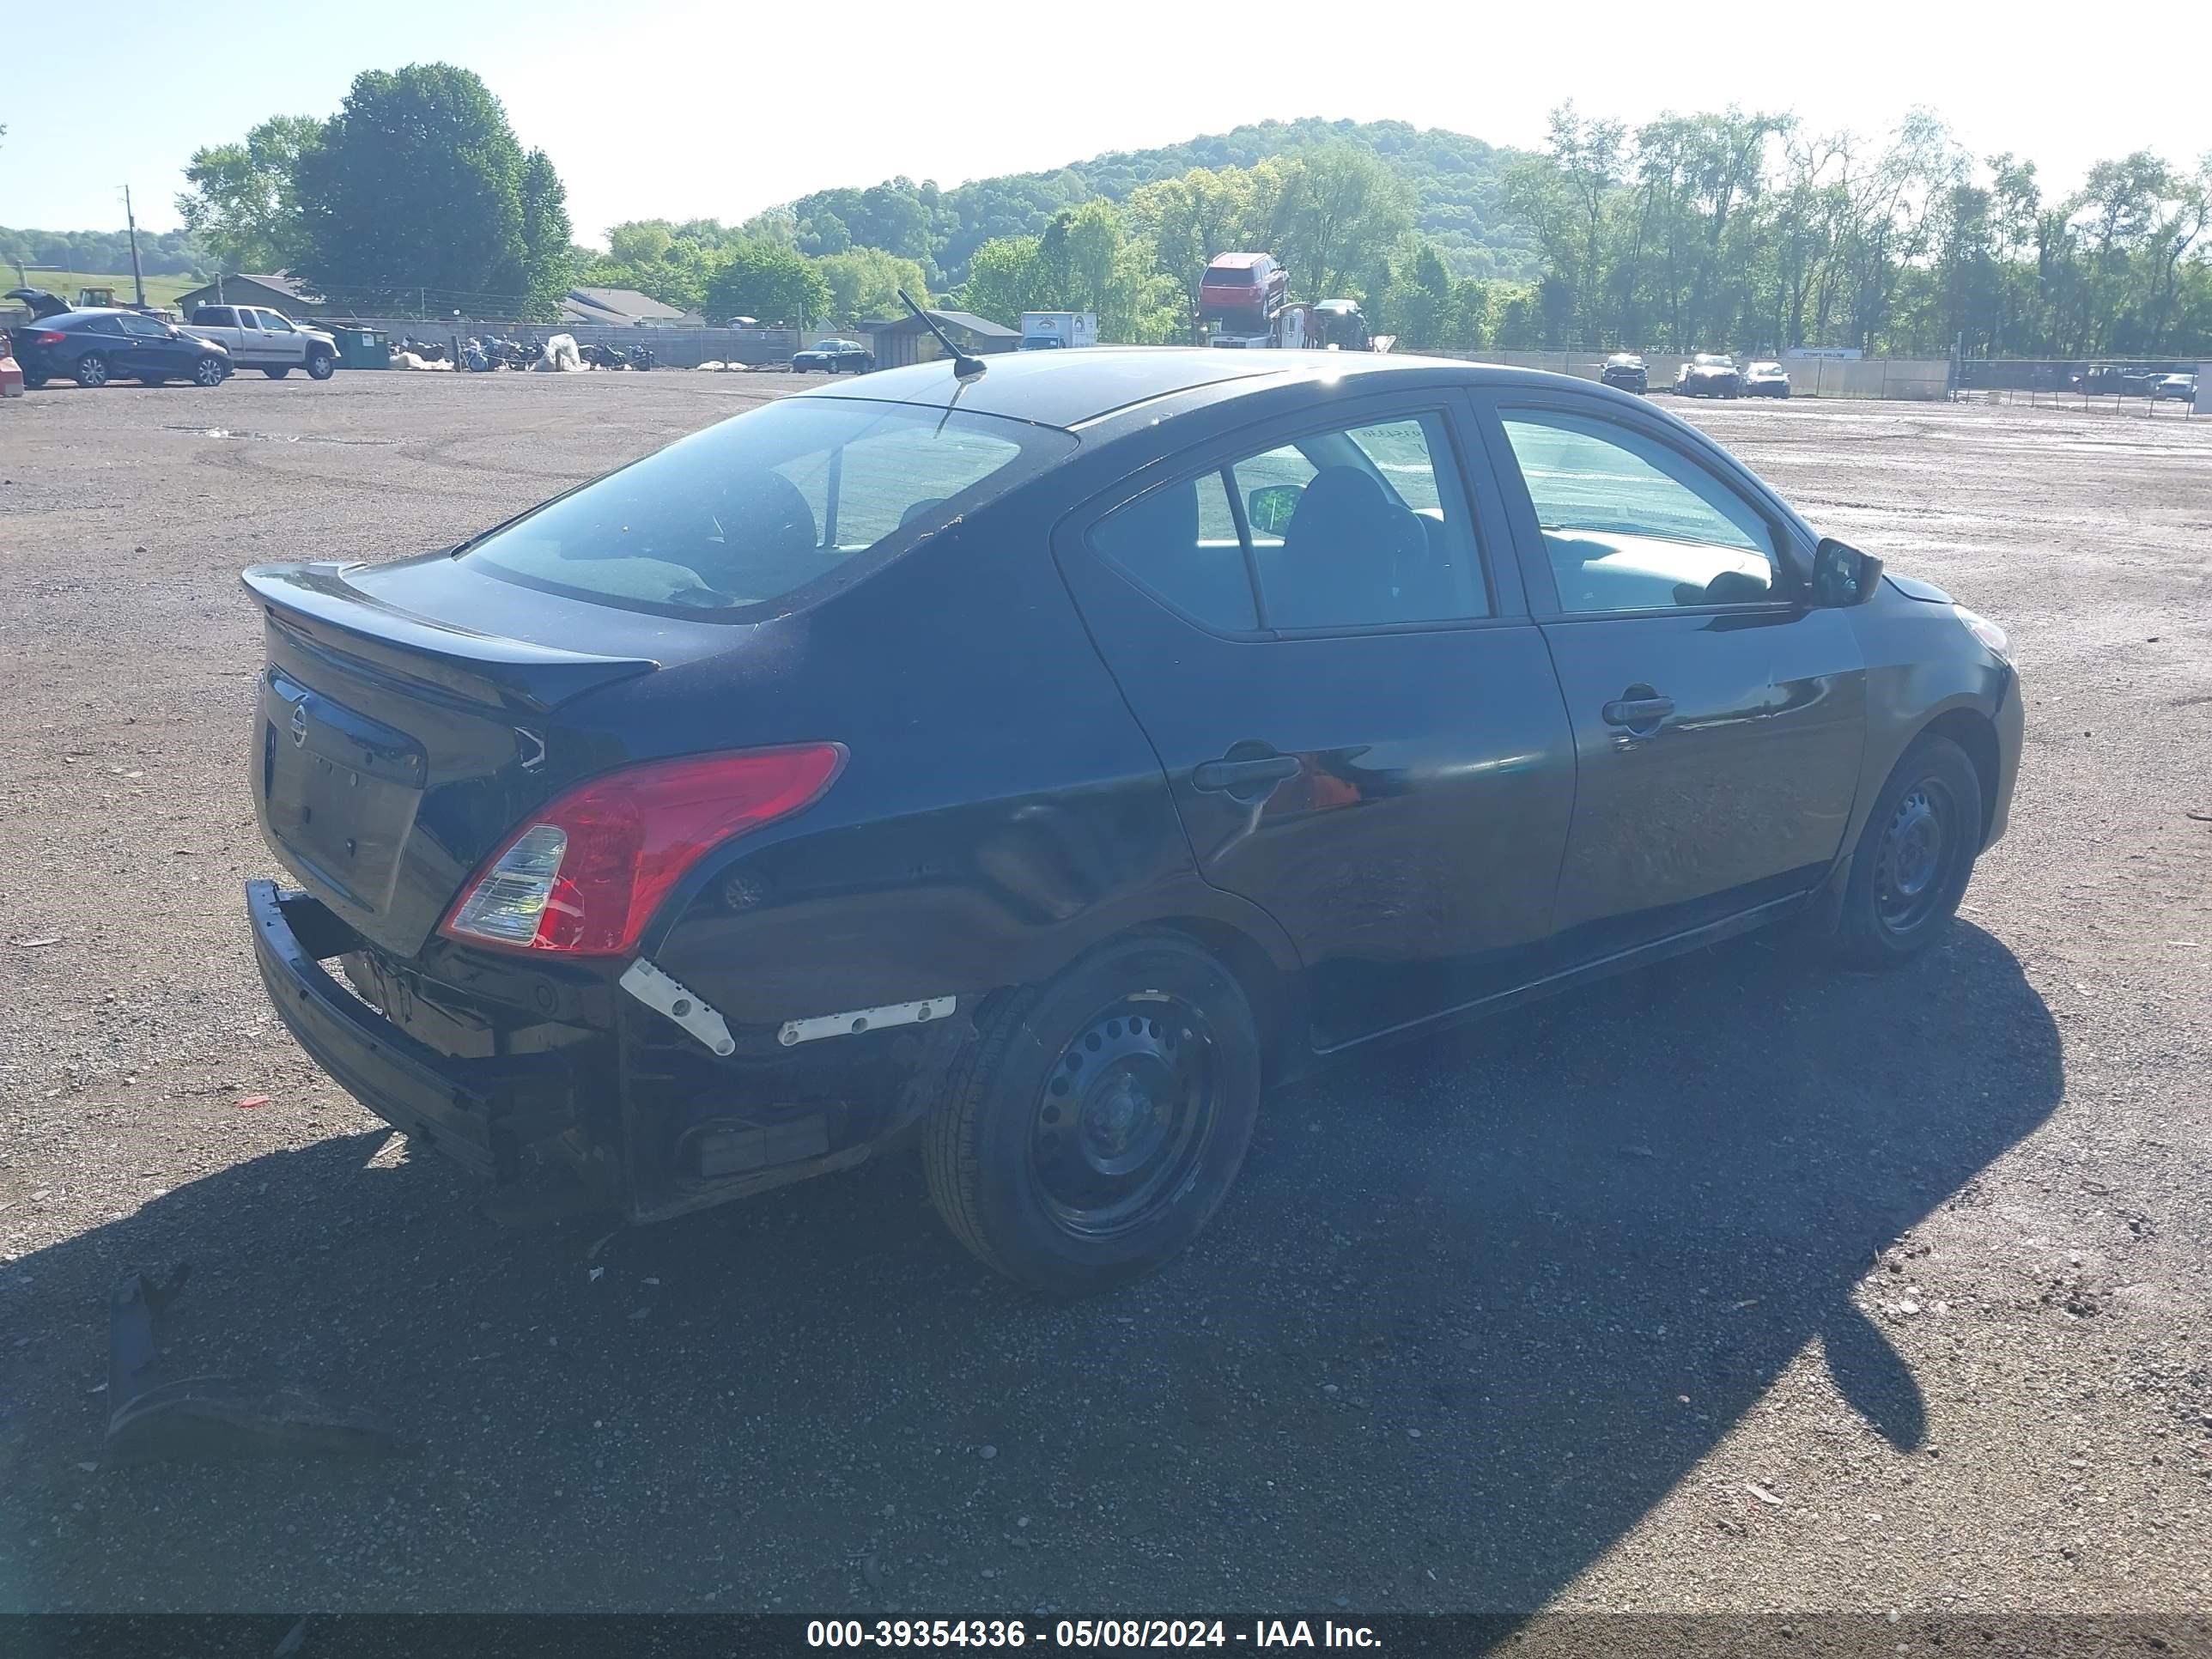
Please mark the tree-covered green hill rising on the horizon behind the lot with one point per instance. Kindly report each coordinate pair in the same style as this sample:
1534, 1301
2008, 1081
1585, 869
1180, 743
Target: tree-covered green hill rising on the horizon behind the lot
1457, 185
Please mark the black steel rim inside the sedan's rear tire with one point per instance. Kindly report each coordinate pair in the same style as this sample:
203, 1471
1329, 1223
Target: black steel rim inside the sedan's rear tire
1125, 1116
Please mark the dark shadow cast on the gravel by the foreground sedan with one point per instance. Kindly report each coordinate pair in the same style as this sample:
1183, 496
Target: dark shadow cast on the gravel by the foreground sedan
1479, 1306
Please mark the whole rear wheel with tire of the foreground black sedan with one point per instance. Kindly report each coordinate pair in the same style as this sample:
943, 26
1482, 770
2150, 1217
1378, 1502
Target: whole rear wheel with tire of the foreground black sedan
1096, 1123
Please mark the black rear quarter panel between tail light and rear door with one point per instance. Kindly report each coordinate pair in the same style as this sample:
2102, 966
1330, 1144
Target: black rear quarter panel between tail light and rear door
1036, 826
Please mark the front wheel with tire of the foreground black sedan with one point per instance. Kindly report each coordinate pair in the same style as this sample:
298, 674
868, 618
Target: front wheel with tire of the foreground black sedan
1914, 857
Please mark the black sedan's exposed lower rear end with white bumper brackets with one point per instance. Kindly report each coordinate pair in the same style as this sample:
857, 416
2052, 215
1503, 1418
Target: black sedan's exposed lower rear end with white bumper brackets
632, 1083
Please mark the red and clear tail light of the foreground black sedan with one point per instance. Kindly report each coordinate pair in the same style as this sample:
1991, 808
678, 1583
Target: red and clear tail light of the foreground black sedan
587, 873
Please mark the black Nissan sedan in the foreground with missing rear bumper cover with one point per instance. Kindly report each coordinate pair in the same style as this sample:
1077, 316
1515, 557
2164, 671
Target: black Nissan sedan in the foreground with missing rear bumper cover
1041, 764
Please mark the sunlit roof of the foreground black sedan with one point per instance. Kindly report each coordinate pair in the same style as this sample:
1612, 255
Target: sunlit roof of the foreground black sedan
1078, 388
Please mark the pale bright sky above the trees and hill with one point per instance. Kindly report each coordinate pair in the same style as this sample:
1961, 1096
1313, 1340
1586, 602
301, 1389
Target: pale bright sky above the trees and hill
705, 109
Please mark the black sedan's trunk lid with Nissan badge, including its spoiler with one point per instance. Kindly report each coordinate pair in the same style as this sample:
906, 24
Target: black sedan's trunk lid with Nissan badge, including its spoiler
393, 749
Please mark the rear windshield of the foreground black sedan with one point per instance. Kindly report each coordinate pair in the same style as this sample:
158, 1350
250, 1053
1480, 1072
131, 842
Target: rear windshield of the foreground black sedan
766, 505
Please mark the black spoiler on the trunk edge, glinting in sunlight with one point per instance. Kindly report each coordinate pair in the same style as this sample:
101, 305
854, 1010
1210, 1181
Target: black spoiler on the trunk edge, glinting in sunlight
320, 607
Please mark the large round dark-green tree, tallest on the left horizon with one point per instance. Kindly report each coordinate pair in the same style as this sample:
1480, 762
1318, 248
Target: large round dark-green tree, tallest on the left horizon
419, 189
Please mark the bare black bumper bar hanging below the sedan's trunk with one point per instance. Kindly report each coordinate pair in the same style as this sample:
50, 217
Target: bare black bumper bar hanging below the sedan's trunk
477, 1112
